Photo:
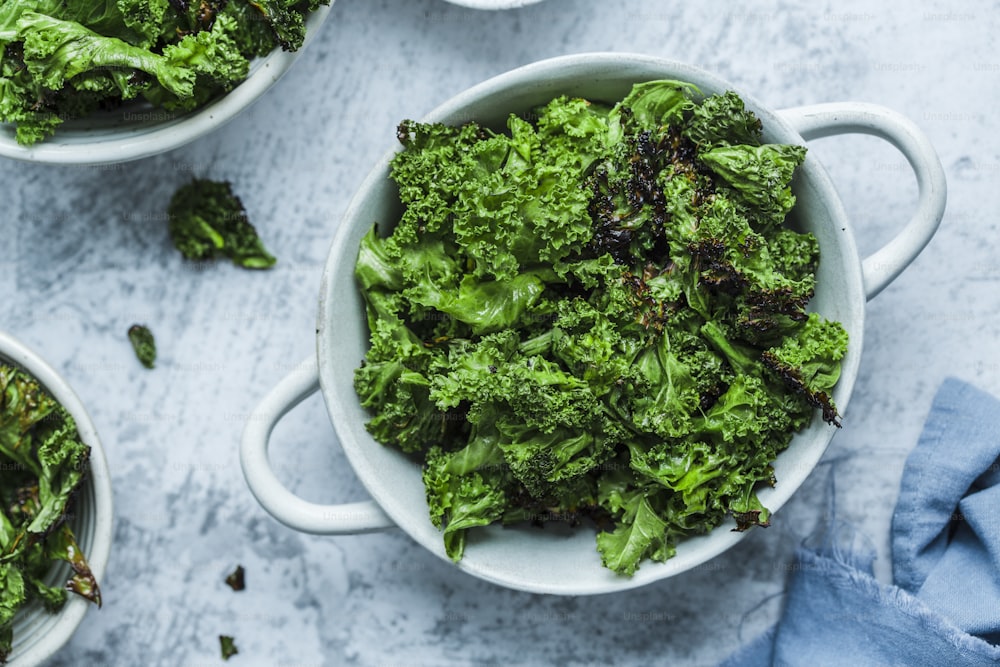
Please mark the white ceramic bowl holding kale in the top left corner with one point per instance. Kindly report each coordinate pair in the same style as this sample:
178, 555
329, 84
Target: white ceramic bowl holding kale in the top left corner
140, 130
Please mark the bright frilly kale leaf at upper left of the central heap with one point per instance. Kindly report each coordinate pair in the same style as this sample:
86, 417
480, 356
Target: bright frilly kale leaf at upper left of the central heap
506, 201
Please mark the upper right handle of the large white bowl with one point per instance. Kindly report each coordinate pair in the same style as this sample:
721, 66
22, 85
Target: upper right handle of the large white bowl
824, 120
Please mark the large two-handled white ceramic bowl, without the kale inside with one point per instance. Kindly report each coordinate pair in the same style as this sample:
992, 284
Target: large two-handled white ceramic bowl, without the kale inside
554, 561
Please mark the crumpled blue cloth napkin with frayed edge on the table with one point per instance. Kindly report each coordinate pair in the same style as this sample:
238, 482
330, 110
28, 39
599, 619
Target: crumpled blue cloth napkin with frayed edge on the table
944, 606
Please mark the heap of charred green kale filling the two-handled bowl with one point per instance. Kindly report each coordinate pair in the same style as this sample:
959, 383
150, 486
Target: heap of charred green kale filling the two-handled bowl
597, 315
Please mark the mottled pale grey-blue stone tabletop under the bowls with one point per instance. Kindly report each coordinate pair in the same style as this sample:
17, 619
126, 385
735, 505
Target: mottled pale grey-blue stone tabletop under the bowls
85, 254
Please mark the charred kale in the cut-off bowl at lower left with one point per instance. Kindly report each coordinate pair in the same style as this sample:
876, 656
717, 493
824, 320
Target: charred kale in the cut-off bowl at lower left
42, 464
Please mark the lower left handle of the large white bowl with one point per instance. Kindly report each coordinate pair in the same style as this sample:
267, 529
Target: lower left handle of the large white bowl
282, 504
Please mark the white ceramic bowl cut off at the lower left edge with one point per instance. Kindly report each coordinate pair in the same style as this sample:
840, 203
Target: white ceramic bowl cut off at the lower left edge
38, 634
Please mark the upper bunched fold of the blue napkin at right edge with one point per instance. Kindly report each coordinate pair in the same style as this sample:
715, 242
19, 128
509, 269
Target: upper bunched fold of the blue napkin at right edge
946, 527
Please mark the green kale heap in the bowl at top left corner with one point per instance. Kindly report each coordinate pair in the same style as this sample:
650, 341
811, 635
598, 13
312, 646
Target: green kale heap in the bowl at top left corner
62, 59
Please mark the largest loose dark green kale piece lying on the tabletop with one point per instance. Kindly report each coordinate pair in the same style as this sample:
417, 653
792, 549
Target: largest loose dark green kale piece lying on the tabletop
206, 219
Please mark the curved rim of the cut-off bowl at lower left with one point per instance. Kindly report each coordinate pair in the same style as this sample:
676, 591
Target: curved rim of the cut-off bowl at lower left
69, 618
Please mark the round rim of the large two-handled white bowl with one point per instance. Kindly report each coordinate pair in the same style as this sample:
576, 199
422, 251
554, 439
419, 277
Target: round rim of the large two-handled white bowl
585, 67
